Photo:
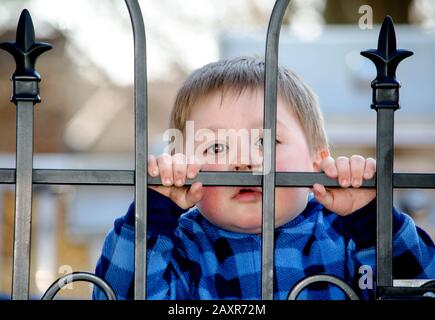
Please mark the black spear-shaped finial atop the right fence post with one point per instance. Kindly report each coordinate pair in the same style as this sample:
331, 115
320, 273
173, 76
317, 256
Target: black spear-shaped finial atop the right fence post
386, 59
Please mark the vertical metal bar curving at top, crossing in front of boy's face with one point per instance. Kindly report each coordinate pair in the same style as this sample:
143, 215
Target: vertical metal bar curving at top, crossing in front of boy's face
270, 97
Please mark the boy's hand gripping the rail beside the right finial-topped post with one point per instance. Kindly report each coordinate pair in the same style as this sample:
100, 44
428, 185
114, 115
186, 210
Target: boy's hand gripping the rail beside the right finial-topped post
349, 172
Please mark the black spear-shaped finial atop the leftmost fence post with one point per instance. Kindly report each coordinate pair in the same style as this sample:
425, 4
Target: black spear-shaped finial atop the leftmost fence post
25, 52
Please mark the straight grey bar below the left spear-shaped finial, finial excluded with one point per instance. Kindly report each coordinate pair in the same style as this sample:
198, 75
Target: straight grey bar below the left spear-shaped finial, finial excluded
23, 201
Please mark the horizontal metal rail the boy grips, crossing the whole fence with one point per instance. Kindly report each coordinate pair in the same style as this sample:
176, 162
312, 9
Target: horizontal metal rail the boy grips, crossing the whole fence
209, 178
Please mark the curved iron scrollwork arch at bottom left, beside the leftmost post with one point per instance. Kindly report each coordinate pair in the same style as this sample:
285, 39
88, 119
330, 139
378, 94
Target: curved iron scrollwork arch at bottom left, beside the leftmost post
78, 276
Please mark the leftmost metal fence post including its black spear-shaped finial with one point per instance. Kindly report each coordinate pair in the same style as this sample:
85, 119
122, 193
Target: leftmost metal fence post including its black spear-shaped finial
25, 94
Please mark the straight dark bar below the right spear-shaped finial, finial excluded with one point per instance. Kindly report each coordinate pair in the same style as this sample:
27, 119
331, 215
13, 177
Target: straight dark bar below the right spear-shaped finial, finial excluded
384, 191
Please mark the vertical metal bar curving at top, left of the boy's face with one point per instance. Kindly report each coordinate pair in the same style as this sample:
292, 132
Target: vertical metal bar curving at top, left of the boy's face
140, 111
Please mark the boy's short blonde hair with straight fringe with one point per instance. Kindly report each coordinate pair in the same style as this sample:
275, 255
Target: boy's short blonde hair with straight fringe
242, 73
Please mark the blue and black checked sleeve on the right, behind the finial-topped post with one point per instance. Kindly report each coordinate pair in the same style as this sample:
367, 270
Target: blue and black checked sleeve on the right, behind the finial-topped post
413, 249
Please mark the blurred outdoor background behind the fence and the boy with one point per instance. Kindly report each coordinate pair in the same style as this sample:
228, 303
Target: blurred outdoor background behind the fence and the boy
85, 119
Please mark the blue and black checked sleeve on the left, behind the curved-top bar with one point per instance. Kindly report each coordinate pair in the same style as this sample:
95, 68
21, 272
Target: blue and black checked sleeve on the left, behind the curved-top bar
167, 267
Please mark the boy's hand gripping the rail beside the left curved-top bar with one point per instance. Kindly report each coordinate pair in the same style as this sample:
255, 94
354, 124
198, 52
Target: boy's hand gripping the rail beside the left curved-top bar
173, 171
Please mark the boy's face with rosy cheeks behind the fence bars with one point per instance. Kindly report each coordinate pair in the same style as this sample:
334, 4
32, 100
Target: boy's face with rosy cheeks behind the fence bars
233, 208
